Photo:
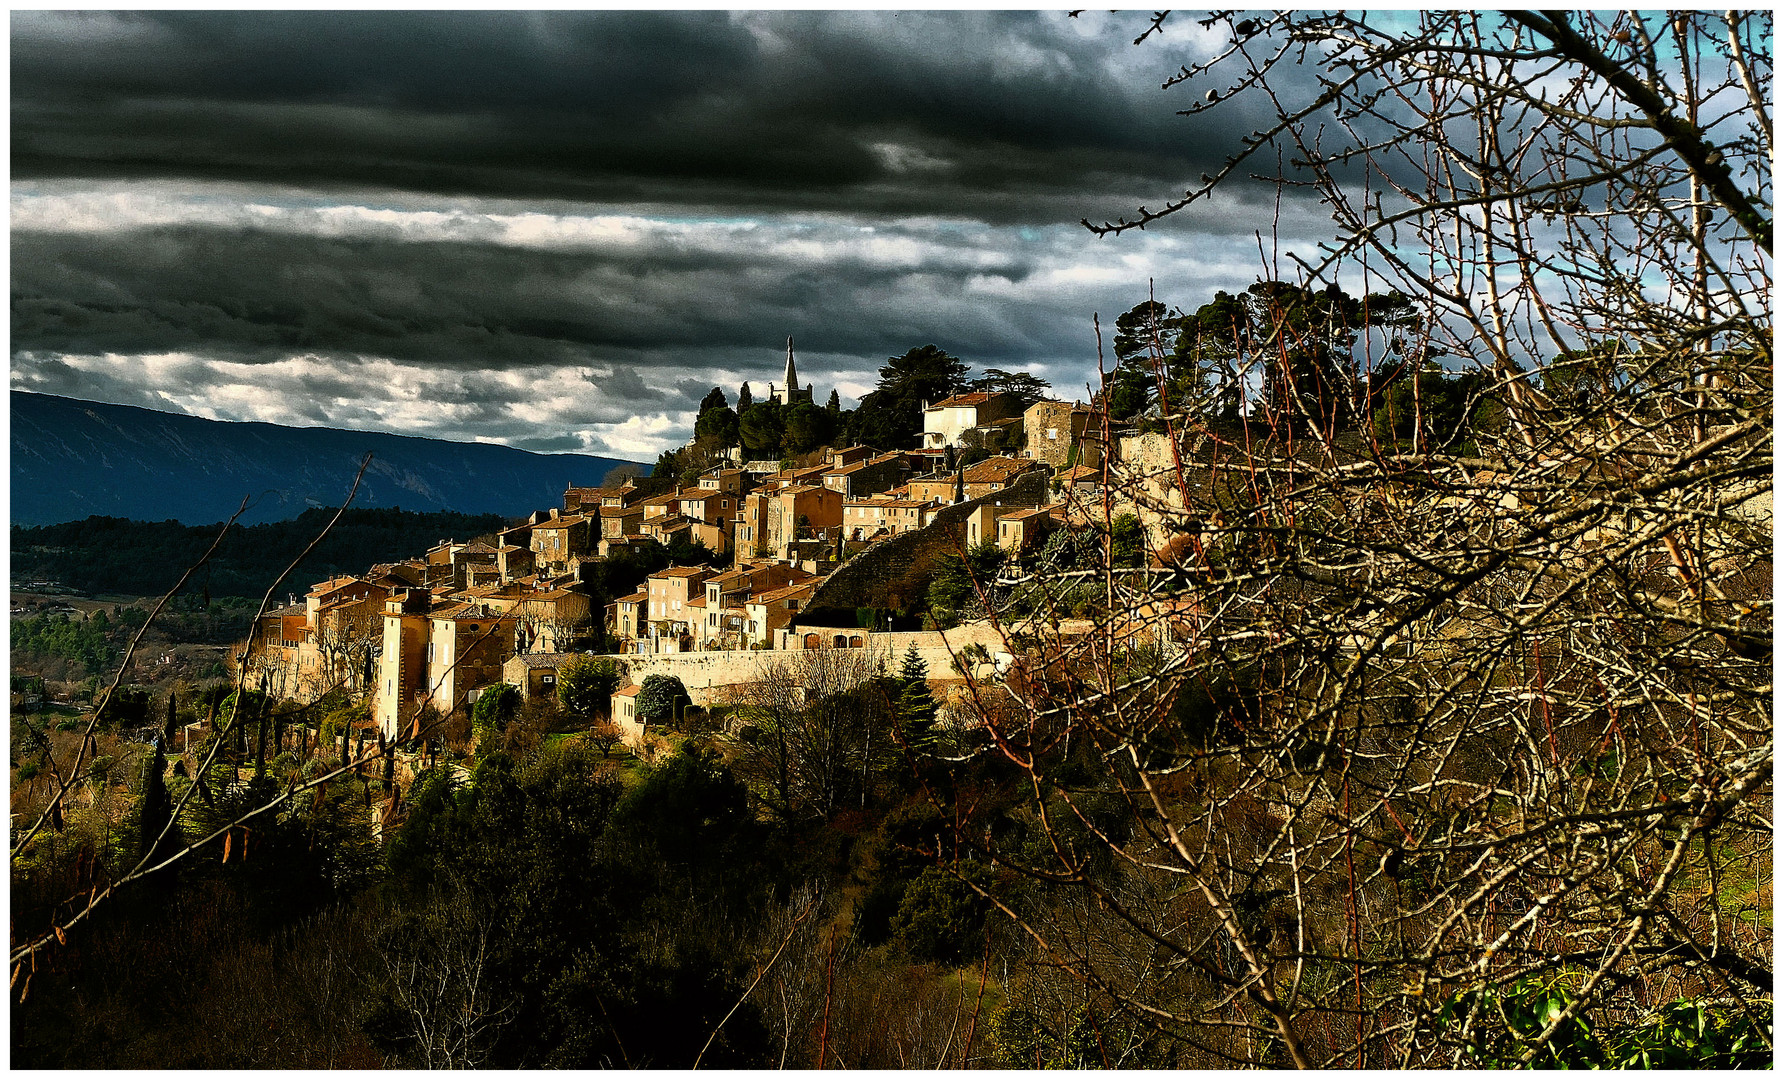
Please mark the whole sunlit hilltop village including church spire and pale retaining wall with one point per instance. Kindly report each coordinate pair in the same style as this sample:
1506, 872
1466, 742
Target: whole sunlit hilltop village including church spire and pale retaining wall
764, 555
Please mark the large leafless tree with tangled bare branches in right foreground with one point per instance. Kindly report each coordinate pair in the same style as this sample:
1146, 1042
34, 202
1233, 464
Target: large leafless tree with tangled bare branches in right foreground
1404, 726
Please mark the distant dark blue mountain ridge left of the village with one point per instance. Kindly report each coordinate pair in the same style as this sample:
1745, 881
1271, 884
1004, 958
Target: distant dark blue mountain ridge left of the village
78, 459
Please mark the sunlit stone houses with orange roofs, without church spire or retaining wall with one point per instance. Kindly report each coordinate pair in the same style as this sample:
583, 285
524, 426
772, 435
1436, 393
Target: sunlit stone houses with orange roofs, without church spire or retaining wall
425, 635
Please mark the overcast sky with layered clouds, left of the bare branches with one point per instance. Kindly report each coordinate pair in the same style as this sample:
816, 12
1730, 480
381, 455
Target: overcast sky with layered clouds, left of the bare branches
559, 231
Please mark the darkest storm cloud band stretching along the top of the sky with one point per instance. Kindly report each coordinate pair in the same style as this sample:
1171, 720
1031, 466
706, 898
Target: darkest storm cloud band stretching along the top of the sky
992, 115
